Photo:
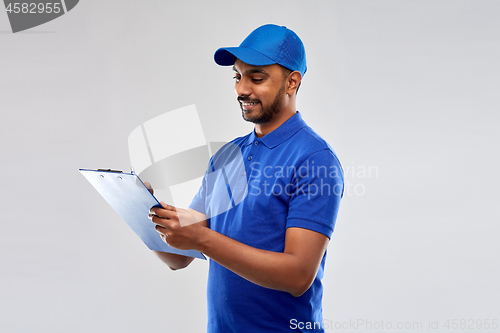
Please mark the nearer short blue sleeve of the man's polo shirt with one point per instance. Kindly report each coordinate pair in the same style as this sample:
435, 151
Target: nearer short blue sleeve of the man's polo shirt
317, 187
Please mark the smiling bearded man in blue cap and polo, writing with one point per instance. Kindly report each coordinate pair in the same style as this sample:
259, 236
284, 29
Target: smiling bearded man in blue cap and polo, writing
268, 251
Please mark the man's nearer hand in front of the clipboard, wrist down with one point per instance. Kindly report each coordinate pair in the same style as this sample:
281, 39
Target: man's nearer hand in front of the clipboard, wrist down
178, 227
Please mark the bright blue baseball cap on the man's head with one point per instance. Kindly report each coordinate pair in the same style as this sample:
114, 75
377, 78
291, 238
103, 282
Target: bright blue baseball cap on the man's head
267, 45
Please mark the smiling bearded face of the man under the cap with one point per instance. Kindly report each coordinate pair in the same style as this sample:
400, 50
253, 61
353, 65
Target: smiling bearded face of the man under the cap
260, 90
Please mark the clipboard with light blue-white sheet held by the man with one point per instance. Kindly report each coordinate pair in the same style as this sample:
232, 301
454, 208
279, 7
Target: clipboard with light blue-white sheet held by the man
131, 199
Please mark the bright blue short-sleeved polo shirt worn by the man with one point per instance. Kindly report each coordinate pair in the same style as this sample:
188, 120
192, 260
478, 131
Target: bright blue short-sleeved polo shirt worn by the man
254, 189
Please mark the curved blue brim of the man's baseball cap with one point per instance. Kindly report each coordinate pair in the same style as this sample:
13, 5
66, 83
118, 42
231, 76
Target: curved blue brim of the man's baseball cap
226, 56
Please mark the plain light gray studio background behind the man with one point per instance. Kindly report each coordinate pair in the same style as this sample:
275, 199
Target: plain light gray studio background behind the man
409, 88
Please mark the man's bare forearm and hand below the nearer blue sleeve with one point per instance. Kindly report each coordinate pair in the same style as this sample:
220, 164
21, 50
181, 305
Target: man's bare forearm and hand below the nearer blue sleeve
292, 271
